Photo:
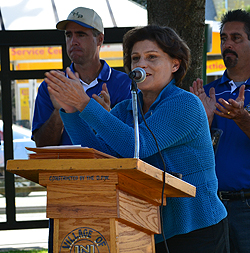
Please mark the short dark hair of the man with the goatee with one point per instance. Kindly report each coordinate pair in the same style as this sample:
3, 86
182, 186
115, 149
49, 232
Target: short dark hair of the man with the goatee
239, 16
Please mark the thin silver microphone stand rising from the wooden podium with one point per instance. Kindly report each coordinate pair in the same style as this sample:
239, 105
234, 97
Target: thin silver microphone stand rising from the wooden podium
135, 116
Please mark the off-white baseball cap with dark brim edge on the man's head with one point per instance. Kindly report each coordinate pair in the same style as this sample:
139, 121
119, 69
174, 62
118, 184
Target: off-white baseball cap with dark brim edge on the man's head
84, 17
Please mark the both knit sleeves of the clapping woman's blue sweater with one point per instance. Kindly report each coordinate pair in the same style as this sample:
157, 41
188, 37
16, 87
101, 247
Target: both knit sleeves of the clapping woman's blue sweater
116, 132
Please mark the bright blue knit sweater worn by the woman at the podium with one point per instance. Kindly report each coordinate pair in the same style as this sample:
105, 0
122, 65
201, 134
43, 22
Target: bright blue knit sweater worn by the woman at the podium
178, 120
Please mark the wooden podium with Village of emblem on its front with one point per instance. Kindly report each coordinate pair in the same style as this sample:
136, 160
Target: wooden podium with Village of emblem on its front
102, 205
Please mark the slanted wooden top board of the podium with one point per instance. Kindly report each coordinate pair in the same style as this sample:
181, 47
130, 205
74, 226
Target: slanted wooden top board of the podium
131, 167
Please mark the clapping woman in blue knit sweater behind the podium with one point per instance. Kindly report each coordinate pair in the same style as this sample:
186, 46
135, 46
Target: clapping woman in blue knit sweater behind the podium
179, 123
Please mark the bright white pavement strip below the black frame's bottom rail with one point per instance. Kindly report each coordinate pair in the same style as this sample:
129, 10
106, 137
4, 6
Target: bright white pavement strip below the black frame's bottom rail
25, 239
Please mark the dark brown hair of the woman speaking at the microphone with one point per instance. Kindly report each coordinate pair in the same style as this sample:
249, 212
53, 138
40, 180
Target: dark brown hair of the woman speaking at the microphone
166, 38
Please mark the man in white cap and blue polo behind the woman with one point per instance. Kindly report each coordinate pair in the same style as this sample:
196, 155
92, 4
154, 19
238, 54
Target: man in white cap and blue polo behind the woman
84, 35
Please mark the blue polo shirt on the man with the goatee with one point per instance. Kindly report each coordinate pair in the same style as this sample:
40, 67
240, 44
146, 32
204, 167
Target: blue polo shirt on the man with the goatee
233, 154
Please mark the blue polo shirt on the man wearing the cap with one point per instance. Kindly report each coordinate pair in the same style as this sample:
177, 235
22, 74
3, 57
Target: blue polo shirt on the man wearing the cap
118, 84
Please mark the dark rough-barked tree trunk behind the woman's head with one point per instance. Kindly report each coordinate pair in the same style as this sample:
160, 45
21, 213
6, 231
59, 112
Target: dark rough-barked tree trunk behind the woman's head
187, 18
